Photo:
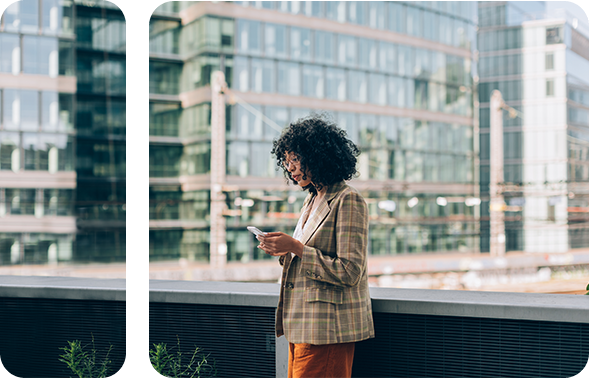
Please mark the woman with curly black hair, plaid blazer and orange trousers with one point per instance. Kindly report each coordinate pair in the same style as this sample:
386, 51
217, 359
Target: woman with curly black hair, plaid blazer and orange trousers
324, 305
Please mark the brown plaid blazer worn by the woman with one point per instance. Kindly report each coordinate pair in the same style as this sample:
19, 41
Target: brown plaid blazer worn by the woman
324, 296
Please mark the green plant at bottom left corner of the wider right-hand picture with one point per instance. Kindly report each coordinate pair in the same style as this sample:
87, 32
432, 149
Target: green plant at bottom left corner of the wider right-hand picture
172, 364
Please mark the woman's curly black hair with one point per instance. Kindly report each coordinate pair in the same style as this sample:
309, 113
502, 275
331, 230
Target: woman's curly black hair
324, 150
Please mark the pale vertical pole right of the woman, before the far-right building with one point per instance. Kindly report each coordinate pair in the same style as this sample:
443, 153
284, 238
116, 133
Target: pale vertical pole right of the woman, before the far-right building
497, 204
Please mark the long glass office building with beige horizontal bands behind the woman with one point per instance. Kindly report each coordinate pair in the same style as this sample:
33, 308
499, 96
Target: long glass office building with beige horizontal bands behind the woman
131, 126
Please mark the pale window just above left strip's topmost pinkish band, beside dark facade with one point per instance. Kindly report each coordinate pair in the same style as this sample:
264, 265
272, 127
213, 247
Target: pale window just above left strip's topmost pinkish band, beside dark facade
40, 56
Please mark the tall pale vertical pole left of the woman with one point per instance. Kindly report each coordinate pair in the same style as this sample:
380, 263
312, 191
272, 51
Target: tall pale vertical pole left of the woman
218, 243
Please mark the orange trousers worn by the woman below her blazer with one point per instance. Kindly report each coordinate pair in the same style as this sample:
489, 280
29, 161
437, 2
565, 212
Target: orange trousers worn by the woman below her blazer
320, 361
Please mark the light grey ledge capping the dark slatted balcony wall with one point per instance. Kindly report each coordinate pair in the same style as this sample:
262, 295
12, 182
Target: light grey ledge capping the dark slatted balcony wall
541, 307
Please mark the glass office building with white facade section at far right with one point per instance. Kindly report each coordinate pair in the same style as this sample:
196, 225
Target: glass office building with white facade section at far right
540, 64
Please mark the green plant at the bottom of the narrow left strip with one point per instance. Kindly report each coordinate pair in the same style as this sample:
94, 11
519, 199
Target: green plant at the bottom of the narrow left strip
85, 364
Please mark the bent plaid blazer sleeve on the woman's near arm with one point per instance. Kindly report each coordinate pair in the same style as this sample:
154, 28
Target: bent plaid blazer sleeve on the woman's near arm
351, 235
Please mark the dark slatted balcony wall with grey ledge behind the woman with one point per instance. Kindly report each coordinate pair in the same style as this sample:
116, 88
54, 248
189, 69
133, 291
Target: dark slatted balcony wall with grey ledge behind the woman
419, 333
